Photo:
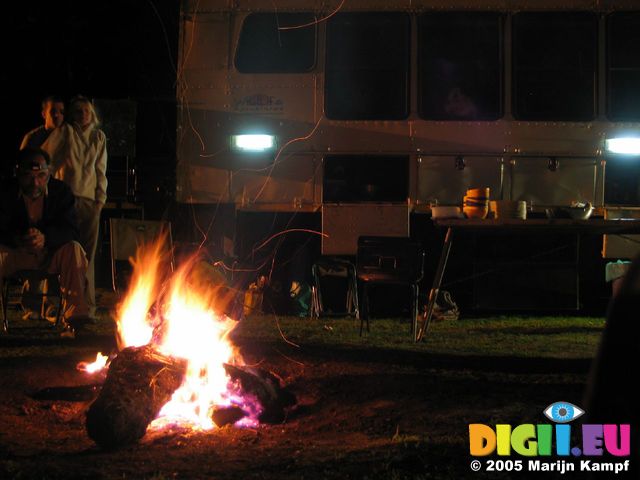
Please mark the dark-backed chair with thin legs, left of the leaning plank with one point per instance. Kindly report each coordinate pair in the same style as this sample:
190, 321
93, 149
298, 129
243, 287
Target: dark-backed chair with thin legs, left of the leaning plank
391, 261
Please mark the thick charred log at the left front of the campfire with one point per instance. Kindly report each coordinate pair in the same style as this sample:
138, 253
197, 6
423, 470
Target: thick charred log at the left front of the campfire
140, 381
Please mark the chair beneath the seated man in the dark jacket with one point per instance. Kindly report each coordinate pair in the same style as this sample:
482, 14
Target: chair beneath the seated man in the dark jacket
36, 284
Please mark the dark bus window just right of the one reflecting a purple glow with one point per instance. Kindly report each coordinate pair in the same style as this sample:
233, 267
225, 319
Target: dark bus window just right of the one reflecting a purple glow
554, 65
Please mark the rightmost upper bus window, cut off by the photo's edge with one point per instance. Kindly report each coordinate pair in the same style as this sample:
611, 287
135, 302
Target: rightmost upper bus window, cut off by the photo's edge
623, 66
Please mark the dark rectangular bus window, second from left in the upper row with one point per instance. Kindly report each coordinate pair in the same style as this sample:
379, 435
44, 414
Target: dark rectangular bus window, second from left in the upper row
367, 66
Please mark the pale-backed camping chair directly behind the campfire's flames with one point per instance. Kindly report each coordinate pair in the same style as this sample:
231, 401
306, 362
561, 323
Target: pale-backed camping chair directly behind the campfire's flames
125, 237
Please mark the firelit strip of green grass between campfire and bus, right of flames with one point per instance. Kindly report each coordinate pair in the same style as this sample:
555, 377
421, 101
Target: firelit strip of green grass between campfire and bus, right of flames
540, 336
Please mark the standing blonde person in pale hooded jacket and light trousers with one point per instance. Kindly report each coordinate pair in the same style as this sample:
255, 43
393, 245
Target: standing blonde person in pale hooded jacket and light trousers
79, 158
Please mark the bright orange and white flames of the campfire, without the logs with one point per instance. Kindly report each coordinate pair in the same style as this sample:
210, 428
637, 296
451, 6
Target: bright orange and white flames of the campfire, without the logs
183, 322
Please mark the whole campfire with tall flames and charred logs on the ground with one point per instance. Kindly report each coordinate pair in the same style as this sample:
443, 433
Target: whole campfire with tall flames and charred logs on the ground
175, 363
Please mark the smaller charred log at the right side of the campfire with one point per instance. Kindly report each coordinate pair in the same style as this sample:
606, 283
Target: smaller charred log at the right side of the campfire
266, 388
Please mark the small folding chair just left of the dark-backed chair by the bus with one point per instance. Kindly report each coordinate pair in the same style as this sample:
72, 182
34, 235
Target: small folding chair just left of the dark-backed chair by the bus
334, 267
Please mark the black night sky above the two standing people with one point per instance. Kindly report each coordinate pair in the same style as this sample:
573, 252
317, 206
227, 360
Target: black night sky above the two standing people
115, 49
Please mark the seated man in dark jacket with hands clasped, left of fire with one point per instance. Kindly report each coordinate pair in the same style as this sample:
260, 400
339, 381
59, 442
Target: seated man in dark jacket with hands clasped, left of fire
38, 230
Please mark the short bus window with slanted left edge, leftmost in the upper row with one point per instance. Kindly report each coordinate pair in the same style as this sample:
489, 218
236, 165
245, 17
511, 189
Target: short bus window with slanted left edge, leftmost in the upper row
265, 47
